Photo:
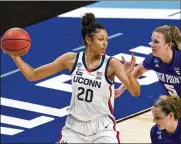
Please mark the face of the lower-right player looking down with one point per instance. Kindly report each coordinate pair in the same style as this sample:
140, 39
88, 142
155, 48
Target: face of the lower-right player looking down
159, 117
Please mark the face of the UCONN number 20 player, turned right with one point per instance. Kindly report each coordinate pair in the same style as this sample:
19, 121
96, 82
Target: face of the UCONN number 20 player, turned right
99, 42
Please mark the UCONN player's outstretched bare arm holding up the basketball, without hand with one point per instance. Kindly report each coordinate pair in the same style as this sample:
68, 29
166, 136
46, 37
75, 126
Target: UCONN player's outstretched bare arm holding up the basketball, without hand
65, 61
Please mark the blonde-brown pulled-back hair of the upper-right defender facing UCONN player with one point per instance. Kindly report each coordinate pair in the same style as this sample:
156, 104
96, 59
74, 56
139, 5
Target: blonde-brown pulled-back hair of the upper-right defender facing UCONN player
172, 34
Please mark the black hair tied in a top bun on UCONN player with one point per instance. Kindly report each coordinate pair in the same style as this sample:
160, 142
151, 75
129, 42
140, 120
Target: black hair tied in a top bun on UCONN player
89, 26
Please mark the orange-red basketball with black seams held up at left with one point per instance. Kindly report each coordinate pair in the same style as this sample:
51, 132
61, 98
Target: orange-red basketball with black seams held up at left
16, 42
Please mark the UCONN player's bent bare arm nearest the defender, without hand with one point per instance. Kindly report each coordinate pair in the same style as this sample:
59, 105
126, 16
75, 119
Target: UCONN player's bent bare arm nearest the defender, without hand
127, 79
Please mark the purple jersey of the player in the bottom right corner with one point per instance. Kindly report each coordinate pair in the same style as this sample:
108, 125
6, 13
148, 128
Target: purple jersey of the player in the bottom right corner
162, 137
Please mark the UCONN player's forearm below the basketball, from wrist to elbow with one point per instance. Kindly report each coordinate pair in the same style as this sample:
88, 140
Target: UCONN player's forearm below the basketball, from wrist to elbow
26, 69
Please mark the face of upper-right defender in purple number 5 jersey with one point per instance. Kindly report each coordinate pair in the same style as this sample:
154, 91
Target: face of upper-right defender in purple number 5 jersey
158, 44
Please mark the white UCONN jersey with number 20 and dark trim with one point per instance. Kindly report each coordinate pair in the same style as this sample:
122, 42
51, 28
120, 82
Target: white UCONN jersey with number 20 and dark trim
92, 92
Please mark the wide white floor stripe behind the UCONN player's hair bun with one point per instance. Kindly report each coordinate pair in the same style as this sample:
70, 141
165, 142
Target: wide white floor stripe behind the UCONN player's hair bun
124, 13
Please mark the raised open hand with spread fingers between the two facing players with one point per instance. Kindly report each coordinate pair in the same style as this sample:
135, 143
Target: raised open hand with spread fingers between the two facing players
129, 66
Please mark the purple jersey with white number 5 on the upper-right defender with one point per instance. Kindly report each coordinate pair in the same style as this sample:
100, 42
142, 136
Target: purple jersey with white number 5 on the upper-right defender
168, 74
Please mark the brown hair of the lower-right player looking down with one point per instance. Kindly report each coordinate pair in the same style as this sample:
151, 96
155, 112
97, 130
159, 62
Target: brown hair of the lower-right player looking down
169, 104
